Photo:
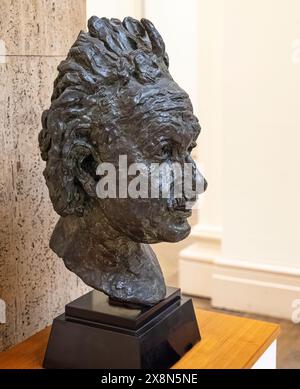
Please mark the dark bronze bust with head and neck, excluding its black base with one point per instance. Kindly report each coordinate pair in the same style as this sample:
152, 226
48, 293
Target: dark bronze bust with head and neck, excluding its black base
114, 96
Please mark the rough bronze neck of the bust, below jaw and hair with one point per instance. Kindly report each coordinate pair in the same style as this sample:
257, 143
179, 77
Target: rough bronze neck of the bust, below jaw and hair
106, 259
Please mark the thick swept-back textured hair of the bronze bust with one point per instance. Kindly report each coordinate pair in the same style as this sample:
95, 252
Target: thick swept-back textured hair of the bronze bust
110, 62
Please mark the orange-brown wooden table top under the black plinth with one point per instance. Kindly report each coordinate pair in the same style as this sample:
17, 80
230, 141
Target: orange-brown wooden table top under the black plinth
228, 342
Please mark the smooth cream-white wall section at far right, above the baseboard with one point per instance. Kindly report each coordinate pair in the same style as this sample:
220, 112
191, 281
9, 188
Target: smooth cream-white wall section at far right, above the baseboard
261, 100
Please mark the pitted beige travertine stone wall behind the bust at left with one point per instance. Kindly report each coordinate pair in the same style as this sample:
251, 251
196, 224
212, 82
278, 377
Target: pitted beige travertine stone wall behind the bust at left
34, 283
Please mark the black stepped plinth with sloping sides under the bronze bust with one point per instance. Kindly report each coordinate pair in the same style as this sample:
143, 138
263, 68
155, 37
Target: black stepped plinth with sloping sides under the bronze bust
97, 333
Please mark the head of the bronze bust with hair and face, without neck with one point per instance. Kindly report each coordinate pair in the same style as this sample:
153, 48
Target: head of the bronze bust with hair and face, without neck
115, 96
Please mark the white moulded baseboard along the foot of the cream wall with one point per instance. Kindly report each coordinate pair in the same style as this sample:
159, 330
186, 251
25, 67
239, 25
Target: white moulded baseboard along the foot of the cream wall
238, 285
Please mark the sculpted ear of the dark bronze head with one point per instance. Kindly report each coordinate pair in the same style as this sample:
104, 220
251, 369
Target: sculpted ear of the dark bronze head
82, 160
